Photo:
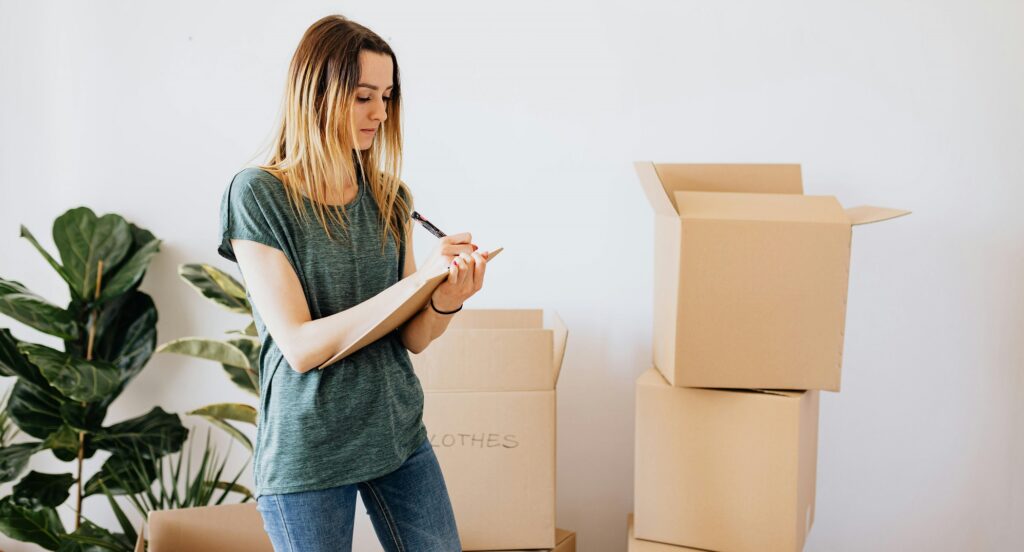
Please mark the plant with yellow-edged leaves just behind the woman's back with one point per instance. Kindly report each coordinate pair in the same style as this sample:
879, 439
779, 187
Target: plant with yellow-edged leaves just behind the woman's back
239, 357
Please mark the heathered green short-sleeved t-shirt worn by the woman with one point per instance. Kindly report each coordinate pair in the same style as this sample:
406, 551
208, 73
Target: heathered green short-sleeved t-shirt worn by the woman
361, 417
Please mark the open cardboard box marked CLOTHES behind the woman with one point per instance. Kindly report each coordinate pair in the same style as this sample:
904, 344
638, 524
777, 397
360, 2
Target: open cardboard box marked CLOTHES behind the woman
490, 409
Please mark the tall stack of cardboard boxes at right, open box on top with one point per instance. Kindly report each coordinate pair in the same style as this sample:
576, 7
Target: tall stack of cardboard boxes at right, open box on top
751, 282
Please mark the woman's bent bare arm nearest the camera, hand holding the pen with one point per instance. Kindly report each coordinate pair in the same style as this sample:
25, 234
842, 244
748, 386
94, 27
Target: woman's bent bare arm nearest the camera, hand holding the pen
278, 295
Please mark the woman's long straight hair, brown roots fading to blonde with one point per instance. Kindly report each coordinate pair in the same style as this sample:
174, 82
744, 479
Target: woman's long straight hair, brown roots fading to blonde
310, 154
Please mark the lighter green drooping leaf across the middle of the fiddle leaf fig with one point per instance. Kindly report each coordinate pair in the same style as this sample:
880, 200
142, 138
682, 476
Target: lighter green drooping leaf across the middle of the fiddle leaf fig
75, 377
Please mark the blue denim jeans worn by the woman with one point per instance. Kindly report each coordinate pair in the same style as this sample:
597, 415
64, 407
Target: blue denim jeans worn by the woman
410, 509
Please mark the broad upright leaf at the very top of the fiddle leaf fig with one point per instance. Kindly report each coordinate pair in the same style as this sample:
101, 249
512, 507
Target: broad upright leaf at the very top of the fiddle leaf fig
84, 240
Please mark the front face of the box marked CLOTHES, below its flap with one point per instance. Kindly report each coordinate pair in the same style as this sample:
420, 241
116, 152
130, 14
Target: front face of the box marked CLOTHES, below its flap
497, 451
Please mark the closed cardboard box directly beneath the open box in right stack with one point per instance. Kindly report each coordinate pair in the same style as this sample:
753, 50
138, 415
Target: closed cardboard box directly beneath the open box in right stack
722, 470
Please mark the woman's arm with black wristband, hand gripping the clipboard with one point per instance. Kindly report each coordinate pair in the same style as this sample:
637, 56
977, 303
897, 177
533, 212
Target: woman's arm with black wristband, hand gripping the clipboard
464, 280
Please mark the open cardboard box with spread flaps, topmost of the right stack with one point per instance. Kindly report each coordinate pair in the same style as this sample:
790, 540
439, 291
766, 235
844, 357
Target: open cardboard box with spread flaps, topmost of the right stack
751, 276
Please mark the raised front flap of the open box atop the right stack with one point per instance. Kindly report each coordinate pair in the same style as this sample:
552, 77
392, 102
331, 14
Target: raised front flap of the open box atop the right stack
765, 207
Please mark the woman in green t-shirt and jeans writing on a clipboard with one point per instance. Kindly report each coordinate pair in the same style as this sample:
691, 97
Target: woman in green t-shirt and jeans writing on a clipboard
327, 432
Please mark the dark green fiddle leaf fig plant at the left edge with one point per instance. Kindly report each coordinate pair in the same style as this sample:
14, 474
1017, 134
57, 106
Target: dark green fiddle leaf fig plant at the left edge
61, 398
